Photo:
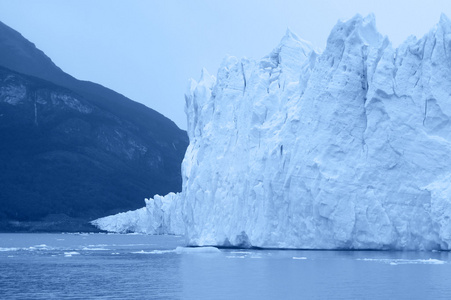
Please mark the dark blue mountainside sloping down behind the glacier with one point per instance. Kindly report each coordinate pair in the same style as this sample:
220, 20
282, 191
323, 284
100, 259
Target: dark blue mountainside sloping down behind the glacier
72, 151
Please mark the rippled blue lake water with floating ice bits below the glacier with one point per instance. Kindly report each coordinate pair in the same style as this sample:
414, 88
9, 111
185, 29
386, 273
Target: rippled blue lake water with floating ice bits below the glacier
112, 266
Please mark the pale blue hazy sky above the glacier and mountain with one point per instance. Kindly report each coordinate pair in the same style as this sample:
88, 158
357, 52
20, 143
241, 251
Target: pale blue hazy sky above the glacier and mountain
148, 50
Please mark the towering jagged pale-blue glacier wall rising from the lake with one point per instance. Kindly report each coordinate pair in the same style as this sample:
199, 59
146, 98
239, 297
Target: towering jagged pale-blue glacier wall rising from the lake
345, 149
